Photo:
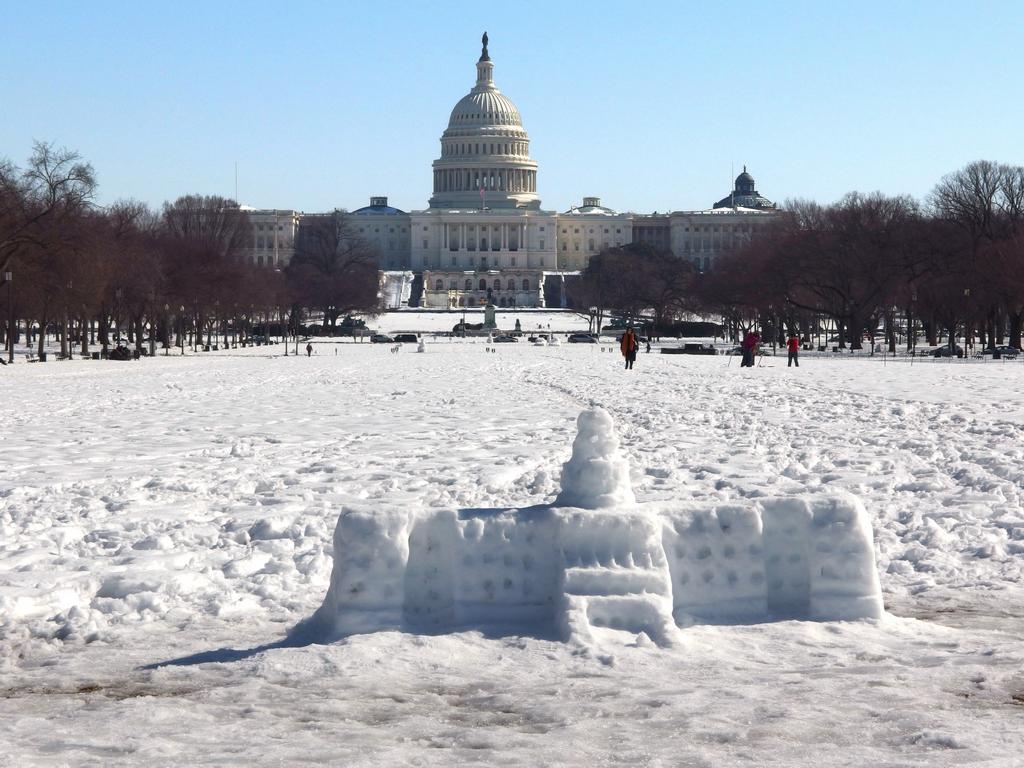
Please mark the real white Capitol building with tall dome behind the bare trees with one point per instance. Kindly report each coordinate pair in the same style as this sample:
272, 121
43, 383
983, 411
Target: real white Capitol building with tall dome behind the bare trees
485, 236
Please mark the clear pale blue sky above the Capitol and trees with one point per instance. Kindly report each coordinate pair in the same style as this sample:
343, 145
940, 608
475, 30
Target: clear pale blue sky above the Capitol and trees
651, 107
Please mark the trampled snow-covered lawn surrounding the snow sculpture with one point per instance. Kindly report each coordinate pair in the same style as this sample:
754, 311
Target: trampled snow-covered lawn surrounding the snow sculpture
165, 523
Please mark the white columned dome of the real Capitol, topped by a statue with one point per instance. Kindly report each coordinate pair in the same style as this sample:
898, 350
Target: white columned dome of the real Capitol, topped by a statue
485, 160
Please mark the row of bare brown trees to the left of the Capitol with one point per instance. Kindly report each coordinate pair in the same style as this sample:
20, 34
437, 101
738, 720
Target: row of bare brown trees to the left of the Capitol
125, 273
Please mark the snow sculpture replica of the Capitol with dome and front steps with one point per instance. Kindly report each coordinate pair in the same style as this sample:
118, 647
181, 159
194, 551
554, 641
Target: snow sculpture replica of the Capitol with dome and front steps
598, 562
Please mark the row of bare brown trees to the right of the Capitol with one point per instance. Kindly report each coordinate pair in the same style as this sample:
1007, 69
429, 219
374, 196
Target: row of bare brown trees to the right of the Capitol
867, 267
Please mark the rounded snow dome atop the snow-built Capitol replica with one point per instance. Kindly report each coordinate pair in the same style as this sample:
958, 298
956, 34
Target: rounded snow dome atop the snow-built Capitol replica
598, 476
